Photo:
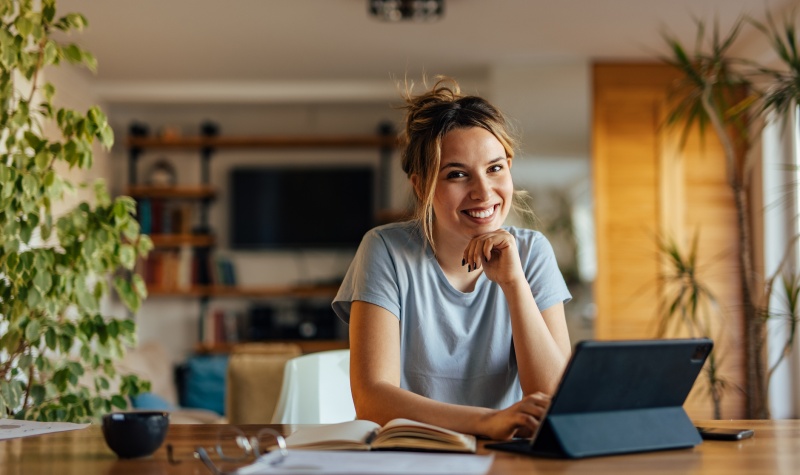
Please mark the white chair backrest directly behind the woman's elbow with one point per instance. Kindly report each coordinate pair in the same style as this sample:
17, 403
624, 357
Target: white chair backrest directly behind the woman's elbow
316, 390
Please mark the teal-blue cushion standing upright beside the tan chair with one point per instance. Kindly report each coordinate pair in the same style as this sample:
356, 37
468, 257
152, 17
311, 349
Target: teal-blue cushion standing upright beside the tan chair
205, 382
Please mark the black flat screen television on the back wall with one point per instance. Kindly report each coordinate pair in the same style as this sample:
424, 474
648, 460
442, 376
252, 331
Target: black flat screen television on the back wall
300, 207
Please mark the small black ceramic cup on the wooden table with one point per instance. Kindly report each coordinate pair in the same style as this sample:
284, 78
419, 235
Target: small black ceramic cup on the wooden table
136, 433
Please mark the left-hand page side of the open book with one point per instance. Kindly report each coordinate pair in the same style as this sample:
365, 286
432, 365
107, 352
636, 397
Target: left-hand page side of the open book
344, 435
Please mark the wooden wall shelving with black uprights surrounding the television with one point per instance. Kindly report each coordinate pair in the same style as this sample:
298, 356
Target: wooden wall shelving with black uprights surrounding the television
201, 238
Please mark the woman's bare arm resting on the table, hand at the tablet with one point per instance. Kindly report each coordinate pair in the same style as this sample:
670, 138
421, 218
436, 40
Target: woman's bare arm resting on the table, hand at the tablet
375, 384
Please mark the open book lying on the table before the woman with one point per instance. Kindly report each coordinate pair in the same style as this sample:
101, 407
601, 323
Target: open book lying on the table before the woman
397, 434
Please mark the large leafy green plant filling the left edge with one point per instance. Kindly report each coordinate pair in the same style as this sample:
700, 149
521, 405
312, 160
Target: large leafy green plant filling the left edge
57, 351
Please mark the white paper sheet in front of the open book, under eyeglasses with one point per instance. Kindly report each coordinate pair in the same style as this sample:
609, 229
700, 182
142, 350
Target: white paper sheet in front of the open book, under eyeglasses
377, 463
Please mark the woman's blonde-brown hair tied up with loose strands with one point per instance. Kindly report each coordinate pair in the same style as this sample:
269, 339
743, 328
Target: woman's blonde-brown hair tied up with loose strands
429, 117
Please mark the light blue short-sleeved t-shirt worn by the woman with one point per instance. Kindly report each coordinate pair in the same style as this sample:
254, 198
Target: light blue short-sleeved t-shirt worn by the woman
455, 347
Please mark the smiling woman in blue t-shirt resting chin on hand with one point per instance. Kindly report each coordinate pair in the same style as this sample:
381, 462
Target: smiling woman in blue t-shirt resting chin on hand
456, 320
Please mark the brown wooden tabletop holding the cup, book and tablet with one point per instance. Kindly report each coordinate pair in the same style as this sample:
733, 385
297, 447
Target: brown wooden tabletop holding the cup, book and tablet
775, 449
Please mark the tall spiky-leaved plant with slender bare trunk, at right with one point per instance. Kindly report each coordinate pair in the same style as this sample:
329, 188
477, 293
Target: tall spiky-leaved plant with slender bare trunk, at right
731, 95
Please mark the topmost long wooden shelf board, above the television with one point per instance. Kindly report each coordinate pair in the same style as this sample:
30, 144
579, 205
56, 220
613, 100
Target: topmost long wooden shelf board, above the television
193, 143
